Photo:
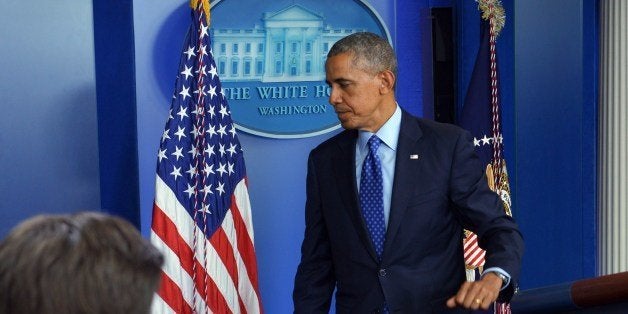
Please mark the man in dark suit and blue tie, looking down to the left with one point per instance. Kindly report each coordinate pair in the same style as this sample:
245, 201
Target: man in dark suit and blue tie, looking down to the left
387, 201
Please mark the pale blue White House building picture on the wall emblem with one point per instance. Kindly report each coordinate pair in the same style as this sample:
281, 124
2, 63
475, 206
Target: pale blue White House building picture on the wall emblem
291, 45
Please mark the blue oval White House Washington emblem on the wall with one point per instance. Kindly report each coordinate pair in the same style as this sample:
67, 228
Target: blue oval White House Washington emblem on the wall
270, 58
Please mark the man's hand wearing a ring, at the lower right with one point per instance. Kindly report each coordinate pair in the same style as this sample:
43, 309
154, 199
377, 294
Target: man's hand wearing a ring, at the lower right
477, 294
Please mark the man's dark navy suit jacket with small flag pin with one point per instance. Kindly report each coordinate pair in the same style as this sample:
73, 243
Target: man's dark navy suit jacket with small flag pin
434, 197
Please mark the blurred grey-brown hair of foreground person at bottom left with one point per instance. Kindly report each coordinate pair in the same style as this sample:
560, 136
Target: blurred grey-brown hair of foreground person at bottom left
78, 263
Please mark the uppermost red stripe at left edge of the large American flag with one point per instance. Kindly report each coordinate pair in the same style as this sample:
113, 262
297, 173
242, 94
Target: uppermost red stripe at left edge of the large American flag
163, 227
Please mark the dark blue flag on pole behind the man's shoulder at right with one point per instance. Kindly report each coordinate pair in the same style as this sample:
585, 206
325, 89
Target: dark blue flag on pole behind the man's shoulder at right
481, 116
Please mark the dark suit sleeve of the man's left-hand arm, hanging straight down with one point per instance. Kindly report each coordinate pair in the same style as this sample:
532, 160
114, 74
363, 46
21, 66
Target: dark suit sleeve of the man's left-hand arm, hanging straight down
314, 281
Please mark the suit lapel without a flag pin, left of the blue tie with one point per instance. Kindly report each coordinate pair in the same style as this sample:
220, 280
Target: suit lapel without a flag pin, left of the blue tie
344, 169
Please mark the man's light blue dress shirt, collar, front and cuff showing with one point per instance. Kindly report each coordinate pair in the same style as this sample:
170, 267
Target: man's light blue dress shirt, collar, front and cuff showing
389, 135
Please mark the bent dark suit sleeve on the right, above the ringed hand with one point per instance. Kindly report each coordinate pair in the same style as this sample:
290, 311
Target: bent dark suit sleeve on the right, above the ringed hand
482, 212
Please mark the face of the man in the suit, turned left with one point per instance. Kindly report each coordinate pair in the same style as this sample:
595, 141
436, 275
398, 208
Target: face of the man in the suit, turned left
355, 94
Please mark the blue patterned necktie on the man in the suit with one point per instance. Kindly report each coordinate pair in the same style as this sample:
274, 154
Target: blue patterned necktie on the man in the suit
372, 196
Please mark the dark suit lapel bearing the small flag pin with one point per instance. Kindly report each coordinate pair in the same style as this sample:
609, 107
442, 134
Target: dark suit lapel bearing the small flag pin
409, 134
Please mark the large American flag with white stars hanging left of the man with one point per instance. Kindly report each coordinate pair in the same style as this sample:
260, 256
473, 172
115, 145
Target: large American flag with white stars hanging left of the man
201, 215
